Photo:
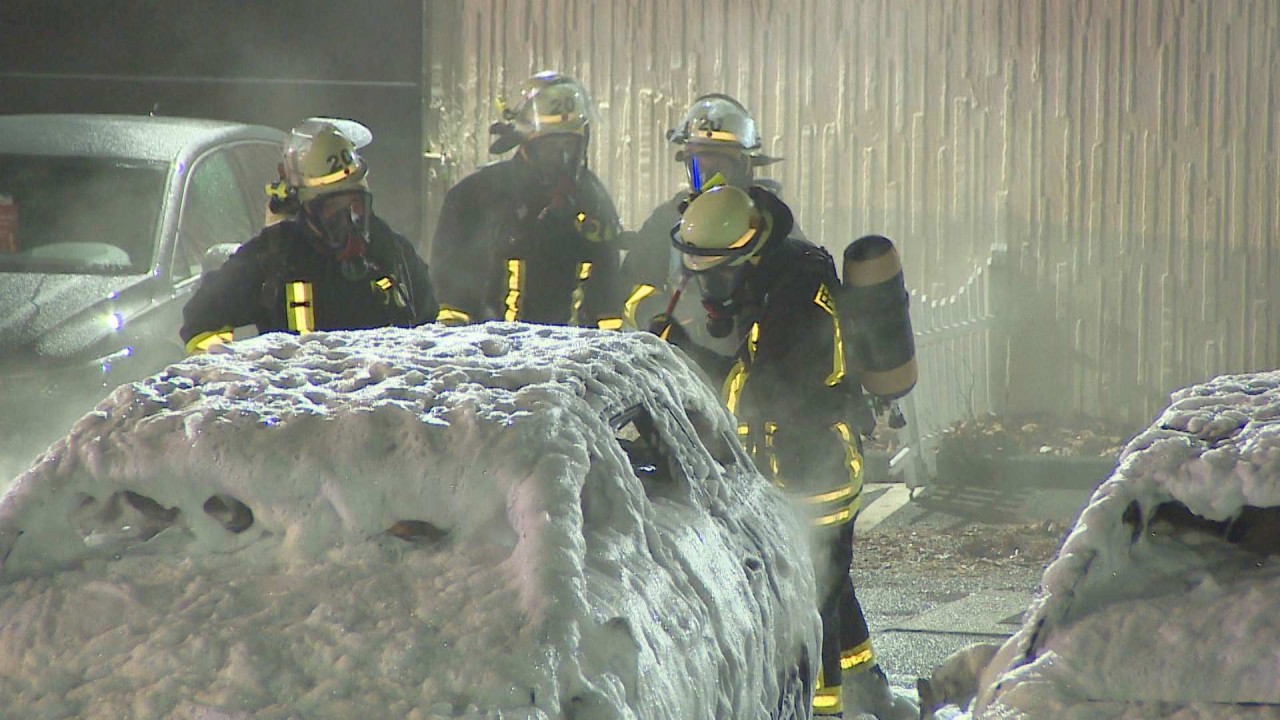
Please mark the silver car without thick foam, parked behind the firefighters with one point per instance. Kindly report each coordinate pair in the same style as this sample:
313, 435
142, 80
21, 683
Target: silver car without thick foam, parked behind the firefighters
104, 225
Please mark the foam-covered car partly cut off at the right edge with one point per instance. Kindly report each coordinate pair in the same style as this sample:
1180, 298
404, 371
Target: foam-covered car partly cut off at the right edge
1163, 601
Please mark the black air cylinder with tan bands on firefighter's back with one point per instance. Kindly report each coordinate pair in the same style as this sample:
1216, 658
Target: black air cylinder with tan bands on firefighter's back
881, 347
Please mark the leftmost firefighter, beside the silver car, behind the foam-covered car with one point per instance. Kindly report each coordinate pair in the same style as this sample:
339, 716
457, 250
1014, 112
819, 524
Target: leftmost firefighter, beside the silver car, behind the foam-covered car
332, 265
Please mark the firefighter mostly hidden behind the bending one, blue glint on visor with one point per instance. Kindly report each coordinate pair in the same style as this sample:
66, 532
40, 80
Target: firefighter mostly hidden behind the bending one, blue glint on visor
720, 144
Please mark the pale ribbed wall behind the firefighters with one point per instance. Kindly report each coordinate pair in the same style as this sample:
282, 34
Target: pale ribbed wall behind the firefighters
1124, 151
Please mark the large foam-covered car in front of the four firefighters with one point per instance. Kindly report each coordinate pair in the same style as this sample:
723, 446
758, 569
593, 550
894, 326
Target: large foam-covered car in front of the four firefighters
431, 523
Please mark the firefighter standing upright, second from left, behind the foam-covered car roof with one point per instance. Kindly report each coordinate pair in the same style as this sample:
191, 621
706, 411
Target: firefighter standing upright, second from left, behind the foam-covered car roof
533, 238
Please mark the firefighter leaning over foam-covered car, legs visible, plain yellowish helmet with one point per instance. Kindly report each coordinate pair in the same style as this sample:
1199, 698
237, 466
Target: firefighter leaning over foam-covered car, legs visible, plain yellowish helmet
771, 295
